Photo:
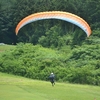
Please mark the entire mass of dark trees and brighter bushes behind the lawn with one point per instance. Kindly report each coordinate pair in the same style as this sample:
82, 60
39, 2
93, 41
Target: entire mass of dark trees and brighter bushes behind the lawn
59, 47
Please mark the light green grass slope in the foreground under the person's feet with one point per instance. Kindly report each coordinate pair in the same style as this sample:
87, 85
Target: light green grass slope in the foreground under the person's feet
19, 88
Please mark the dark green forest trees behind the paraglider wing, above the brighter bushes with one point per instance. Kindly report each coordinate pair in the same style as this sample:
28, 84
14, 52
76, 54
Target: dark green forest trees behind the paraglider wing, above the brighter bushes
12, 11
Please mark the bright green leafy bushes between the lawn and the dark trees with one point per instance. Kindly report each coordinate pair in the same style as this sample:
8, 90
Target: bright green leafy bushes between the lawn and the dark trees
80, 65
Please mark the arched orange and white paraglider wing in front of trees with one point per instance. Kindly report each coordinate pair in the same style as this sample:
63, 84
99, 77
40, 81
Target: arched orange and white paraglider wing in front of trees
69, 17
